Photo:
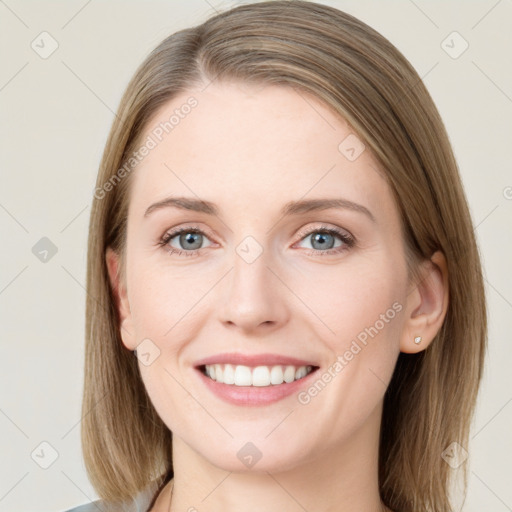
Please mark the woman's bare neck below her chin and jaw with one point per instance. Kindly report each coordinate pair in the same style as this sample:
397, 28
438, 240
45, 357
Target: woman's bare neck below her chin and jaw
342, 478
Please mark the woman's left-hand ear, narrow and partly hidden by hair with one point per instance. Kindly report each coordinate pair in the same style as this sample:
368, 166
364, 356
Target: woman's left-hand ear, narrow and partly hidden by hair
119, 290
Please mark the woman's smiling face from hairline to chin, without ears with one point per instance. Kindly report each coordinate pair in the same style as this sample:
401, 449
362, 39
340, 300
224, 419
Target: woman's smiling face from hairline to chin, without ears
262, 272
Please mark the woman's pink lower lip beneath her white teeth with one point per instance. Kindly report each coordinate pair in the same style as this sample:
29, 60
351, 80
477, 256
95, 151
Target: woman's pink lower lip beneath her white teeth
255, 395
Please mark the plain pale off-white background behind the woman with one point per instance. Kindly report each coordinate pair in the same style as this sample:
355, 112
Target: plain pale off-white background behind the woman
55, 116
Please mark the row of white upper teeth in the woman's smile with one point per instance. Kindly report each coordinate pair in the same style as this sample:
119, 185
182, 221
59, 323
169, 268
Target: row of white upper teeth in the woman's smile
240, 375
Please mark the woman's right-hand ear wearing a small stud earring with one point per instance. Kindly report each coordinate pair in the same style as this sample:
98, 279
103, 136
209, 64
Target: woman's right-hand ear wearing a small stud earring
426, 305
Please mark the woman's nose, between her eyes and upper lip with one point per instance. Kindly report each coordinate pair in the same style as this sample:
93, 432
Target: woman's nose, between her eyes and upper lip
254, 297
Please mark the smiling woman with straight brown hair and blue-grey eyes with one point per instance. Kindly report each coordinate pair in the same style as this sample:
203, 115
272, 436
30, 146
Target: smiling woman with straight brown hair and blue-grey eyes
320, 349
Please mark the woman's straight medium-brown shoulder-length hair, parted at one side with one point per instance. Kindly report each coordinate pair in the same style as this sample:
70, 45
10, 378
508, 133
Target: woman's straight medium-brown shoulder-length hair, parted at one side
360, 75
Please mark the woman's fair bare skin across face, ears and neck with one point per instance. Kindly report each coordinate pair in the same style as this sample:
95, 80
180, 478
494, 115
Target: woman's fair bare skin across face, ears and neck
239, 145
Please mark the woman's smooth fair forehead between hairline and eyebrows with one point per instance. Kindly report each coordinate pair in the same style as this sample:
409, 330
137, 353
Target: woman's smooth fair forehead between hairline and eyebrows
253, 146
